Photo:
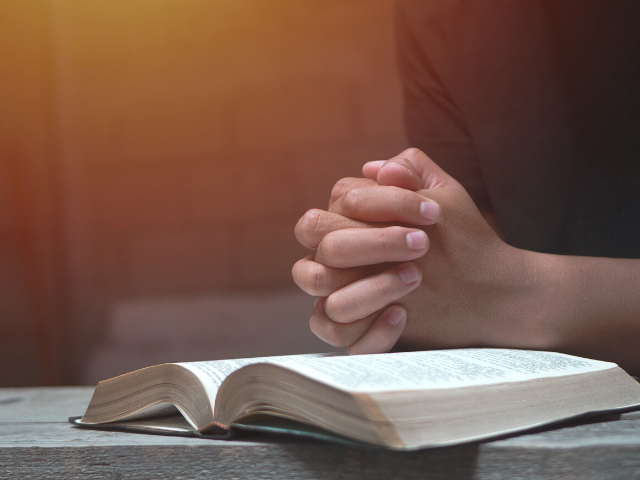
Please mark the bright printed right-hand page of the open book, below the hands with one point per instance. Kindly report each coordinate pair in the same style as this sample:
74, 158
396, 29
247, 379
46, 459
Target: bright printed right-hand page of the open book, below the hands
439, 369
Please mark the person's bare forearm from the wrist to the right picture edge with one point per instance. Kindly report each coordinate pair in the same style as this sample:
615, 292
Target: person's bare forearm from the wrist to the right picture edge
590, 307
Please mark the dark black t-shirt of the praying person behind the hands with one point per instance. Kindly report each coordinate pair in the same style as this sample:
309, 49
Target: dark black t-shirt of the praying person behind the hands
534, 106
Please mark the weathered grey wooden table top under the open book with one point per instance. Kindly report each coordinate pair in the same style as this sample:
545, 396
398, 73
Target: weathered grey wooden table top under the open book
37, 442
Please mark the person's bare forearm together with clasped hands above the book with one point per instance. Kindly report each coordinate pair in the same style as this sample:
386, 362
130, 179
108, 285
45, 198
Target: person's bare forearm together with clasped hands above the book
473, 289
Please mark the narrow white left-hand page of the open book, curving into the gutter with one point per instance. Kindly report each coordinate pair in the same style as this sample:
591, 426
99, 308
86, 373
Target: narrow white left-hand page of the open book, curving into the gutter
213, 373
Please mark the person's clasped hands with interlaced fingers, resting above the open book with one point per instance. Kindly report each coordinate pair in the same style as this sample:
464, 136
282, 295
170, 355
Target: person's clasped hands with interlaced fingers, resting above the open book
403, 259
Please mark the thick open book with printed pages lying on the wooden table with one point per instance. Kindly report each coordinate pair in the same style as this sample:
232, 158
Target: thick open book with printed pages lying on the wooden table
402, 401
